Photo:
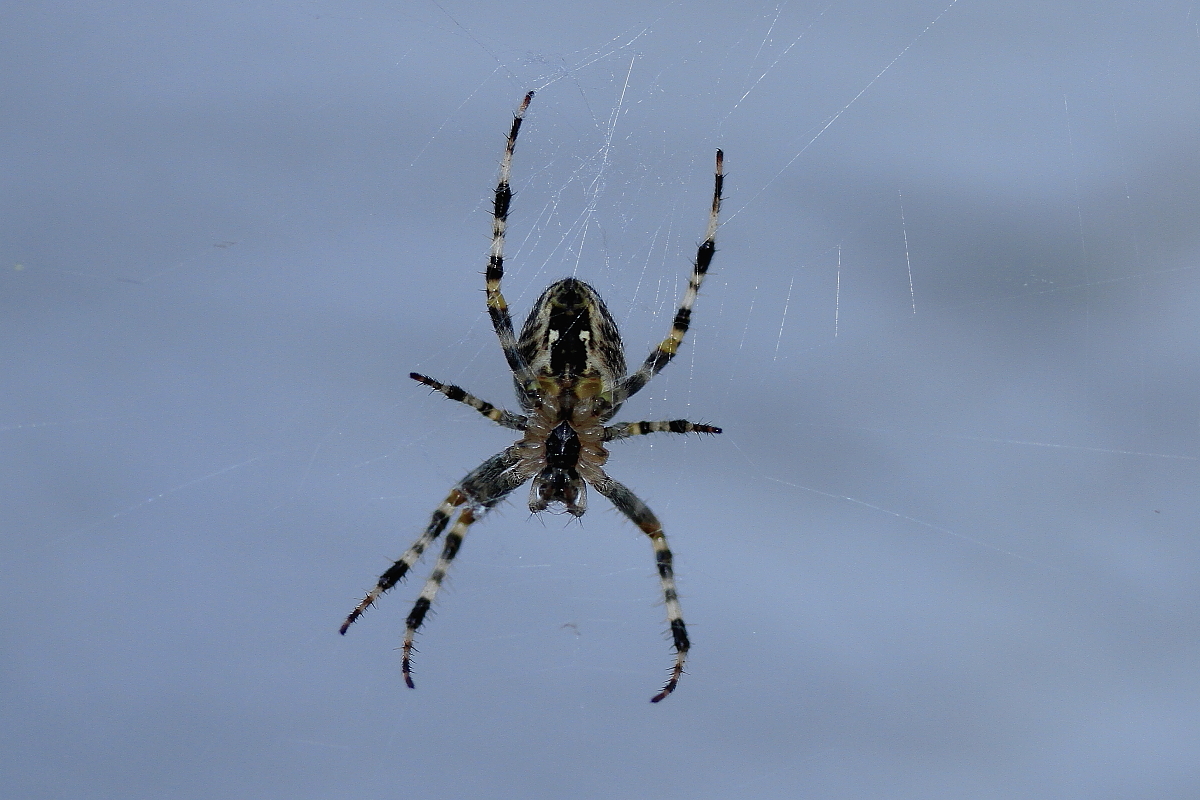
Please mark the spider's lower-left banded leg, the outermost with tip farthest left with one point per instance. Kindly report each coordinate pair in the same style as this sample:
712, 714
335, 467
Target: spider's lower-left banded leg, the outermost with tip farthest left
482, 489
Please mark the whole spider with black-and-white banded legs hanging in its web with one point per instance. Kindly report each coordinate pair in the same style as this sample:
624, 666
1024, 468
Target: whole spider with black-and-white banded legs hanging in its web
569, 371
